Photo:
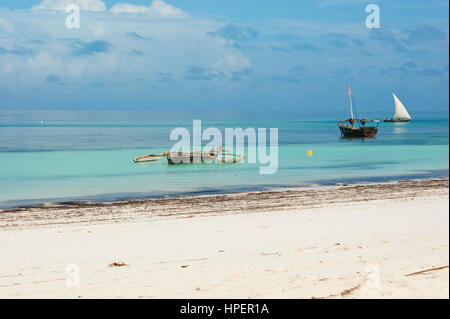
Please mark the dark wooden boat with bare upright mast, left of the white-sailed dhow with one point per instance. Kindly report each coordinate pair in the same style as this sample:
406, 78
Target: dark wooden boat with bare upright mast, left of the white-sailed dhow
354, 127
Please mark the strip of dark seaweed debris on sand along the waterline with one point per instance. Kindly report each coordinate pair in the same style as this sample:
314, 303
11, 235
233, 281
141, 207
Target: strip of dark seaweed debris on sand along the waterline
252, 202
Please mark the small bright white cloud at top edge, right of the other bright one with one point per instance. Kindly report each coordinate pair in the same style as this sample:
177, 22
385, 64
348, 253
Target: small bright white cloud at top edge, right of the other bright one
157, 8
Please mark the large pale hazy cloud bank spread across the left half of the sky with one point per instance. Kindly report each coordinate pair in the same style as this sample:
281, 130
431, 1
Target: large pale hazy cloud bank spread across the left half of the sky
39, 46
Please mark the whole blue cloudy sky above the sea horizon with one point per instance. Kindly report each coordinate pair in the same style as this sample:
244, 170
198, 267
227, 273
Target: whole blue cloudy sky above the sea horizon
223, 55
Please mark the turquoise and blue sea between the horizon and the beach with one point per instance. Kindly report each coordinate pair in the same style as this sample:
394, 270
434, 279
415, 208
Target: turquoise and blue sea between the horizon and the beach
89, 156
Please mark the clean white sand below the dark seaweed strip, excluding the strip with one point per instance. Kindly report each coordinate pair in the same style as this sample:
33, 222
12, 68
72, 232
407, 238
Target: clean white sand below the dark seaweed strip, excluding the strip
341, 250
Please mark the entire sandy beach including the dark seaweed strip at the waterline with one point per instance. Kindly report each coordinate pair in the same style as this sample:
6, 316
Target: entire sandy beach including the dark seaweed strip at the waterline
348, 241
